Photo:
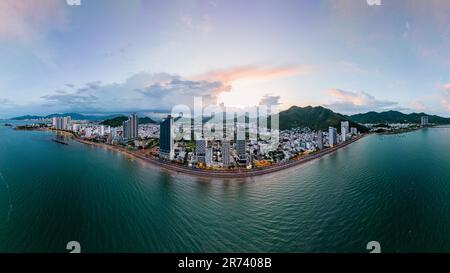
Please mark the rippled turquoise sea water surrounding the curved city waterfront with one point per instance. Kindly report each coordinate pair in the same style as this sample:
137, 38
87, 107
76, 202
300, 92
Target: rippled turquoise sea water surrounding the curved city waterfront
392, 189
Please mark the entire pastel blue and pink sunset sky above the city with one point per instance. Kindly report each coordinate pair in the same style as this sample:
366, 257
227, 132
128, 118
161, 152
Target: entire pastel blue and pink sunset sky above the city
107, 56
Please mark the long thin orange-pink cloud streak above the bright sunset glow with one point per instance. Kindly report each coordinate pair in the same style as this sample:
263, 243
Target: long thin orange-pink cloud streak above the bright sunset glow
251, 72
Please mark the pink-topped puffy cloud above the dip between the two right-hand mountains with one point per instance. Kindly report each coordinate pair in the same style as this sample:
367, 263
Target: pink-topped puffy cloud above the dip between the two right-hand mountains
354, 102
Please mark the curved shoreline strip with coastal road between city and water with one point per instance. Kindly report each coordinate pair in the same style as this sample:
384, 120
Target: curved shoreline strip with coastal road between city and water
172, 167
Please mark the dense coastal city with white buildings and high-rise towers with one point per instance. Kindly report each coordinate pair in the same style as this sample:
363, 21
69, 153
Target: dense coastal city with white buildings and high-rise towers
157, 141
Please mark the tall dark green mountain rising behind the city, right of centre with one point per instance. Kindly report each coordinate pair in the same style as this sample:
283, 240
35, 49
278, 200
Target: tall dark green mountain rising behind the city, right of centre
316, 118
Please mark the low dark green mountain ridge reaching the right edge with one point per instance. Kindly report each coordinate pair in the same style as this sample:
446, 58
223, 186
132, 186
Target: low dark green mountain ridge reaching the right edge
397, 117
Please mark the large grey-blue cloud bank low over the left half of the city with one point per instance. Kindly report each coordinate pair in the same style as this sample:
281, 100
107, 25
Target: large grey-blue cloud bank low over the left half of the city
142, 91
